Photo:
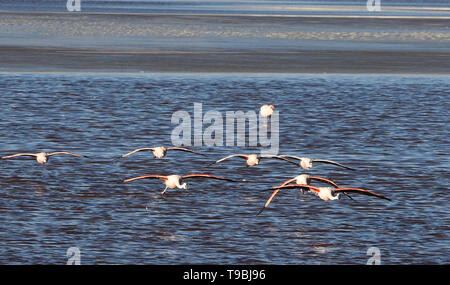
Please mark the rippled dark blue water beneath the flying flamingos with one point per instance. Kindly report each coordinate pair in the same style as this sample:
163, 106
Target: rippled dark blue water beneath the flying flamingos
393, 129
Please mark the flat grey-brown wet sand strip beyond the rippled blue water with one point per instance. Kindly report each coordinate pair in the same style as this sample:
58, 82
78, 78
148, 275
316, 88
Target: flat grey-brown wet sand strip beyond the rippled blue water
101, 42
